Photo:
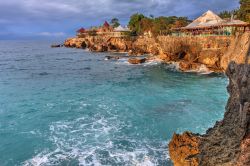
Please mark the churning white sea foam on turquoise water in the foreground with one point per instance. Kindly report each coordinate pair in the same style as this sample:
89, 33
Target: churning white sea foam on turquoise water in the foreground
91, 141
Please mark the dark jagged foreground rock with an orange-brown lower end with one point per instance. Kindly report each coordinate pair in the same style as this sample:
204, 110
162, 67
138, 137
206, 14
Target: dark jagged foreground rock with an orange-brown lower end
228, 142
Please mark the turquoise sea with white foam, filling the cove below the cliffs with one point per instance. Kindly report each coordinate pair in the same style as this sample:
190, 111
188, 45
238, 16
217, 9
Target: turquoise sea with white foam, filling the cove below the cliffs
71, 107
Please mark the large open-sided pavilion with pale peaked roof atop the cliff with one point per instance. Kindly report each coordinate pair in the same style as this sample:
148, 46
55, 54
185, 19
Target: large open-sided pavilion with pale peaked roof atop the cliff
211, 24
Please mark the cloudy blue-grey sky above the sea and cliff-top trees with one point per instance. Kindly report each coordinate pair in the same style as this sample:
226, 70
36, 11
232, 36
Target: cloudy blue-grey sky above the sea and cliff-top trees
28, 19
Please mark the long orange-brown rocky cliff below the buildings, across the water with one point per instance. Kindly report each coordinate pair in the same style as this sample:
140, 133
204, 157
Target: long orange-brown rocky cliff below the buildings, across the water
190, 52
